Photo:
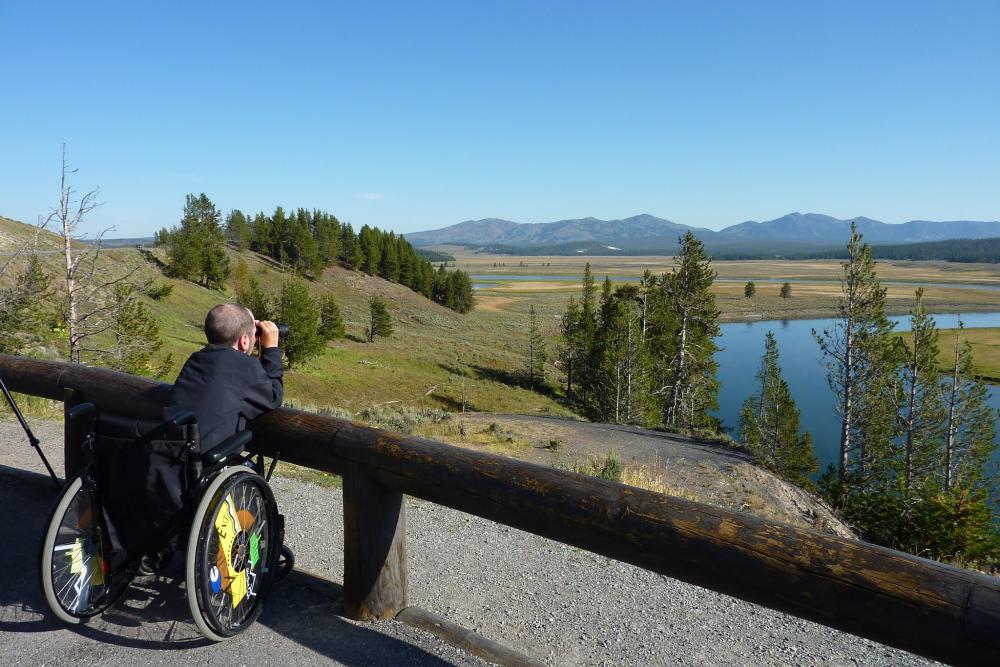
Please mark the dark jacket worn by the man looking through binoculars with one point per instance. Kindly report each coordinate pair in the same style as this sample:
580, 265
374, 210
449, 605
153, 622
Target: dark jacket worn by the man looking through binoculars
225, 389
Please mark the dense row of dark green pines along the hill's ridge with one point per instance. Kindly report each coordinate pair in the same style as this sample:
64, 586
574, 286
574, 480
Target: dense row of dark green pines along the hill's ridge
307, 241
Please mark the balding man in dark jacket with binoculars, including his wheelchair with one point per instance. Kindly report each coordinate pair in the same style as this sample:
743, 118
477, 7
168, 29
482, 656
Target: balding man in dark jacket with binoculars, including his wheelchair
183, 482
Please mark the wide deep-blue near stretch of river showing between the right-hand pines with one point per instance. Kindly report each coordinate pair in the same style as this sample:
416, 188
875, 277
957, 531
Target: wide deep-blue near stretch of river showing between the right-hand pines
742, 346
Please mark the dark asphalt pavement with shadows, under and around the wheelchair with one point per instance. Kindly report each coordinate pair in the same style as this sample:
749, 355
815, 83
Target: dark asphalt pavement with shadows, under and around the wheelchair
299, 623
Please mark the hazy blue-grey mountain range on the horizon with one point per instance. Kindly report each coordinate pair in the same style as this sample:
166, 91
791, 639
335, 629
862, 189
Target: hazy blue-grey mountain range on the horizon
650, 232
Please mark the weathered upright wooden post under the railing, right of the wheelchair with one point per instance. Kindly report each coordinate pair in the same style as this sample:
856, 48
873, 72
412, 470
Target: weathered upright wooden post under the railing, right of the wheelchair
374, 547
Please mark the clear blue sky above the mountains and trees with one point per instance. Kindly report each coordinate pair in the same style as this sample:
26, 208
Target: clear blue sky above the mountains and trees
414, 116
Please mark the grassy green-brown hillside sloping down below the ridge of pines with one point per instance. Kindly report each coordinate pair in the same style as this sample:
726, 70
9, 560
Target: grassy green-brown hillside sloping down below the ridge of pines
436, 358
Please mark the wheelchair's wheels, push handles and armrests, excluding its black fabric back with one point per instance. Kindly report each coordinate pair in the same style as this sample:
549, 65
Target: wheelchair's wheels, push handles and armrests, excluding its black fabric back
229, 562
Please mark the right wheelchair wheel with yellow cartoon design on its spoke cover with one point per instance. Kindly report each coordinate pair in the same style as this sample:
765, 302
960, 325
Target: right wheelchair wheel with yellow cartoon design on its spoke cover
232, 553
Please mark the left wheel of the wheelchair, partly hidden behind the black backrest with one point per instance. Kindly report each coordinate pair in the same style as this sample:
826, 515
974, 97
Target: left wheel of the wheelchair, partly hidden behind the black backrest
75, 556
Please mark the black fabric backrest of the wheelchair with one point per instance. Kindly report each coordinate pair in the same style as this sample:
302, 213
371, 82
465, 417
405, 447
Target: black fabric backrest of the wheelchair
144, 475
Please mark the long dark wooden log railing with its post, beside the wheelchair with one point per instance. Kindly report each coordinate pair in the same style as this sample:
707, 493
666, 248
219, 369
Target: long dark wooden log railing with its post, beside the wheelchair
922, 606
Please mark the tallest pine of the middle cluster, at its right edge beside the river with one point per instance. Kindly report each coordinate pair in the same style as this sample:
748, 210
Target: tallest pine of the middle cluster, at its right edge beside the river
684, 350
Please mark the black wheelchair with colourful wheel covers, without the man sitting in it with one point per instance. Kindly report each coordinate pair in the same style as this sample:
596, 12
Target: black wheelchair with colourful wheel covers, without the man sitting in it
145, 487
